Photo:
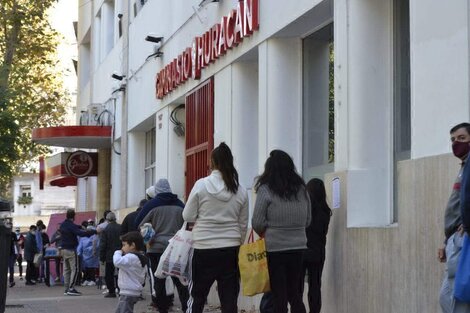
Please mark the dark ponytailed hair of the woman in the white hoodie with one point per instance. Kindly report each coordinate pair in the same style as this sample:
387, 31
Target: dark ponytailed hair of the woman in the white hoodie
222, 160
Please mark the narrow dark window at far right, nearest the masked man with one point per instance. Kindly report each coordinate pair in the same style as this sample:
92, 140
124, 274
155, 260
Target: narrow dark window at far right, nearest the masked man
401, 91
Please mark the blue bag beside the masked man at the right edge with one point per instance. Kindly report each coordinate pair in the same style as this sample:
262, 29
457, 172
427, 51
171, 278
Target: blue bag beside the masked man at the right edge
462, 276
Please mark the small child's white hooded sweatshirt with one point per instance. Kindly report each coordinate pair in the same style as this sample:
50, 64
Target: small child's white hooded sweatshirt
131, 273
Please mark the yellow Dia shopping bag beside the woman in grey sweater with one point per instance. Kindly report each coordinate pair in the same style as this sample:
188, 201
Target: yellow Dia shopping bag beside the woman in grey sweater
253, 265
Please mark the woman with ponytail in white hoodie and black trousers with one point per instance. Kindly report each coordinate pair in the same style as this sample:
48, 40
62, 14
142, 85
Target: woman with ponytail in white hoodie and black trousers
218, 206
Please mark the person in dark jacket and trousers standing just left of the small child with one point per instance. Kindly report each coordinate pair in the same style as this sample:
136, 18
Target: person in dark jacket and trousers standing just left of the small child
110, 242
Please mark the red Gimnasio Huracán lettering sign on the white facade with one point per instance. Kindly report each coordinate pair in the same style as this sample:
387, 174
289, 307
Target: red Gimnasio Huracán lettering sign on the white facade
214, 43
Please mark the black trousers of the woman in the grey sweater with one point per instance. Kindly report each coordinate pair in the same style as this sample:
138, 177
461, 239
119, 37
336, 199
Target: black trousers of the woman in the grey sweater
285, 269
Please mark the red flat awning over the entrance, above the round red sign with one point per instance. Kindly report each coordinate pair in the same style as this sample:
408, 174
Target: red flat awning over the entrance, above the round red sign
85, 137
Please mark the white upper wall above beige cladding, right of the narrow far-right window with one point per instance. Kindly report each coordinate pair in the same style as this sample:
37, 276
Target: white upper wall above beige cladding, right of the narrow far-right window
439, 73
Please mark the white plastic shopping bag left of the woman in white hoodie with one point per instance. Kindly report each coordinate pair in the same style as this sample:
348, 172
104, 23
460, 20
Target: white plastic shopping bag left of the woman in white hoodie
176, 259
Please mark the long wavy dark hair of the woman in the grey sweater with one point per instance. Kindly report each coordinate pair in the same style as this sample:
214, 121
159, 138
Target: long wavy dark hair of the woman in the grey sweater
280, 175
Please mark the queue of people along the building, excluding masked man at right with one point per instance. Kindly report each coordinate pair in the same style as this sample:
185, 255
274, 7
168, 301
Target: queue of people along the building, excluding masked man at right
289, 214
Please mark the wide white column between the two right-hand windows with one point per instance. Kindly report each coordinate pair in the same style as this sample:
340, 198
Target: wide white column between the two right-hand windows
368, 104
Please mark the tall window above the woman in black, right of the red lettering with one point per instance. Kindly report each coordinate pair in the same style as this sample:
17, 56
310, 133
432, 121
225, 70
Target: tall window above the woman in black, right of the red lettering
318, 104
